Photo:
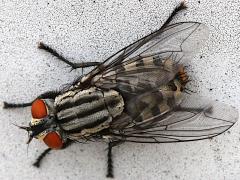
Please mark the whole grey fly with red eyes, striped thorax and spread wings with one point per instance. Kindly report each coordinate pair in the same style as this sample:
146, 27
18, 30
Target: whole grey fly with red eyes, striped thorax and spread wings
137, 95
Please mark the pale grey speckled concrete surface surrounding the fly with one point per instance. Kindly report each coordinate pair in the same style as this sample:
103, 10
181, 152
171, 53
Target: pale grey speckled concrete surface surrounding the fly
93, 30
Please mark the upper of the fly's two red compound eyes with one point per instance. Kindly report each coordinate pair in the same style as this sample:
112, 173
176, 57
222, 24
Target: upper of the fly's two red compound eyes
39, 109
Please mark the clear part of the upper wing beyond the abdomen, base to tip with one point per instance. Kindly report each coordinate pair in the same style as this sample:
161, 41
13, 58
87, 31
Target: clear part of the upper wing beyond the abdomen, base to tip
180, 39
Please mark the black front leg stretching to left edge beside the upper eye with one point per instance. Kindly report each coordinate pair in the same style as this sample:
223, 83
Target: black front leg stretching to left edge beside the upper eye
46, 95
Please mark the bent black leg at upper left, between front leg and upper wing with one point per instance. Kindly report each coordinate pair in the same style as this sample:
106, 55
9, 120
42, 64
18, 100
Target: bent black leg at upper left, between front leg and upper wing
63, 59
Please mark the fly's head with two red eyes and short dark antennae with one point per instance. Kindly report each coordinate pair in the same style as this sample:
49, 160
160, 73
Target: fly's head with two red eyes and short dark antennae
43, 125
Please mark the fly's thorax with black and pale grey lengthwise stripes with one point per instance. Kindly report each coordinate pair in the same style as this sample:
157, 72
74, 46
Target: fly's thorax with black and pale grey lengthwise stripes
82, 113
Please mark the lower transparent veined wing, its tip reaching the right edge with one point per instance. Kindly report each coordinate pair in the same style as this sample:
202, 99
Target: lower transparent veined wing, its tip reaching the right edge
196, 118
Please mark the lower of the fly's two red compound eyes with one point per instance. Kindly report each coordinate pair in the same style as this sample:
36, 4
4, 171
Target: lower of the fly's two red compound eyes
53, 140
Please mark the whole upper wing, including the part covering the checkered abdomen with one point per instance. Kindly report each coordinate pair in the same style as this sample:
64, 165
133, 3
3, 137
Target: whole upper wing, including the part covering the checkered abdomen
136, 67
